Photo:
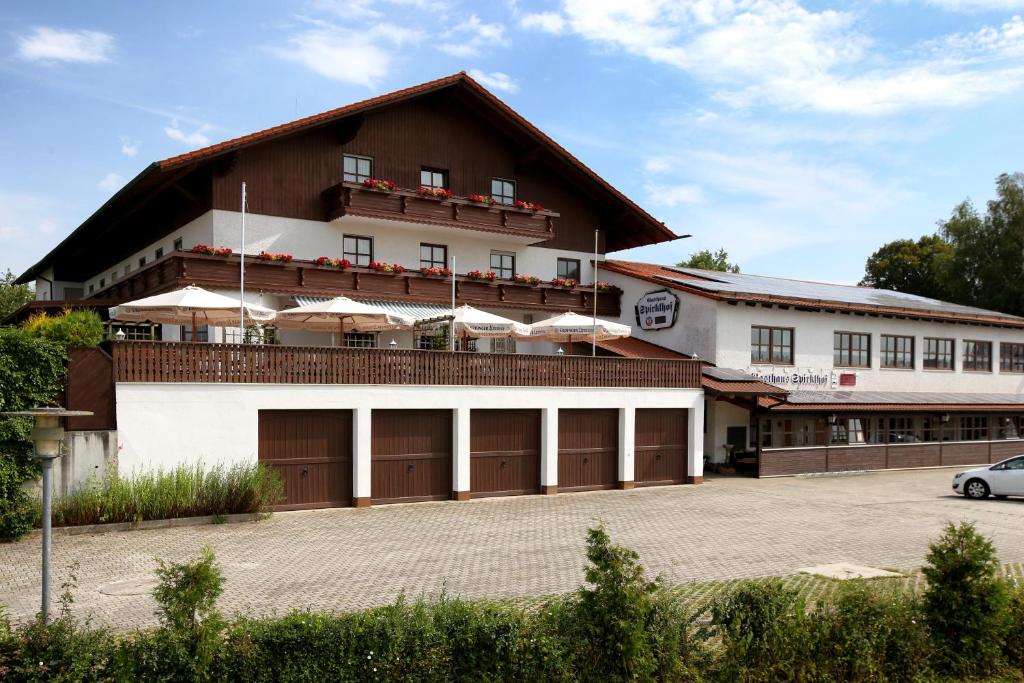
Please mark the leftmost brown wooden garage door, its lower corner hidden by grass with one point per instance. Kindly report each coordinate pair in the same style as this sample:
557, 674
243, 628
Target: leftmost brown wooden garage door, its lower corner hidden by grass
313, 451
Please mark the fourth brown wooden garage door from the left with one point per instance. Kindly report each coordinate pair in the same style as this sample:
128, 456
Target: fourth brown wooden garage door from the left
588, 450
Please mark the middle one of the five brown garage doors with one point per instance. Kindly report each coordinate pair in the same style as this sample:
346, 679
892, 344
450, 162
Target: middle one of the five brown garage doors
505, 453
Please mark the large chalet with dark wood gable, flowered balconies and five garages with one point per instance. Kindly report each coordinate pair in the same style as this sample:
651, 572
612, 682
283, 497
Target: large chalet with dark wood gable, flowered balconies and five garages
416, 179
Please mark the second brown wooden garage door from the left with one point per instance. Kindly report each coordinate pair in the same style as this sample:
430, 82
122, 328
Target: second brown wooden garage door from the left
411, 456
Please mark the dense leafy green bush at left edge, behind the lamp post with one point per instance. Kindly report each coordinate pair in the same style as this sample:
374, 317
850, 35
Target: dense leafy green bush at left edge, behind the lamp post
32, 374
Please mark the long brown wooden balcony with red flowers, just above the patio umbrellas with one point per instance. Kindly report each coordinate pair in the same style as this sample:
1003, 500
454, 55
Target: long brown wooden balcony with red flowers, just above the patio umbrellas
309, 279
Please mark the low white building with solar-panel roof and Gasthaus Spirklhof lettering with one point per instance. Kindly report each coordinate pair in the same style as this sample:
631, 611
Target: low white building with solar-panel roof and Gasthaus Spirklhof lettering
873, 379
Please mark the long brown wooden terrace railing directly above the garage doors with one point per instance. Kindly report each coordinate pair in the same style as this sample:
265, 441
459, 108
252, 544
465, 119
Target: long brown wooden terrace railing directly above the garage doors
174, 362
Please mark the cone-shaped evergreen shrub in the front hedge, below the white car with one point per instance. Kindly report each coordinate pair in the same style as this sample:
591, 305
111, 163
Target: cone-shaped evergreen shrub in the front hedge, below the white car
966, 603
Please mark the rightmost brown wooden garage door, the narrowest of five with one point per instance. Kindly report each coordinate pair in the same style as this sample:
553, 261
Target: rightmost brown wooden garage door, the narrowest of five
661, 447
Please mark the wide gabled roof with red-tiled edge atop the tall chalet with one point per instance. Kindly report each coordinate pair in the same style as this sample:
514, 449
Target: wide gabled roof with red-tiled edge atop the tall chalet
155, 175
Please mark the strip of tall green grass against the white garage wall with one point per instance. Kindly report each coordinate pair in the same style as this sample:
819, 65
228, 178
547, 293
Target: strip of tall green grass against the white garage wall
188, 491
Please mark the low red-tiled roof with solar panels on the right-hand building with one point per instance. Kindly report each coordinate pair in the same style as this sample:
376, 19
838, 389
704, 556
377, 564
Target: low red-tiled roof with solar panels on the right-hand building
733, 287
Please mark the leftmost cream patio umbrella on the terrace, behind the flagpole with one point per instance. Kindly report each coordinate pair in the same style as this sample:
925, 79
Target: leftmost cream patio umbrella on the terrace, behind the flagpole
191, 306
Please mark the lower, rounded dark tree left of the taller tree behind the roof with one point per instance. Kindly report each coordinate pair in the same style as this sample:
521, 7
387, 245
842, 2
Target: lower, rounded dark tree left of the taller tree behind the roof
913, 268
